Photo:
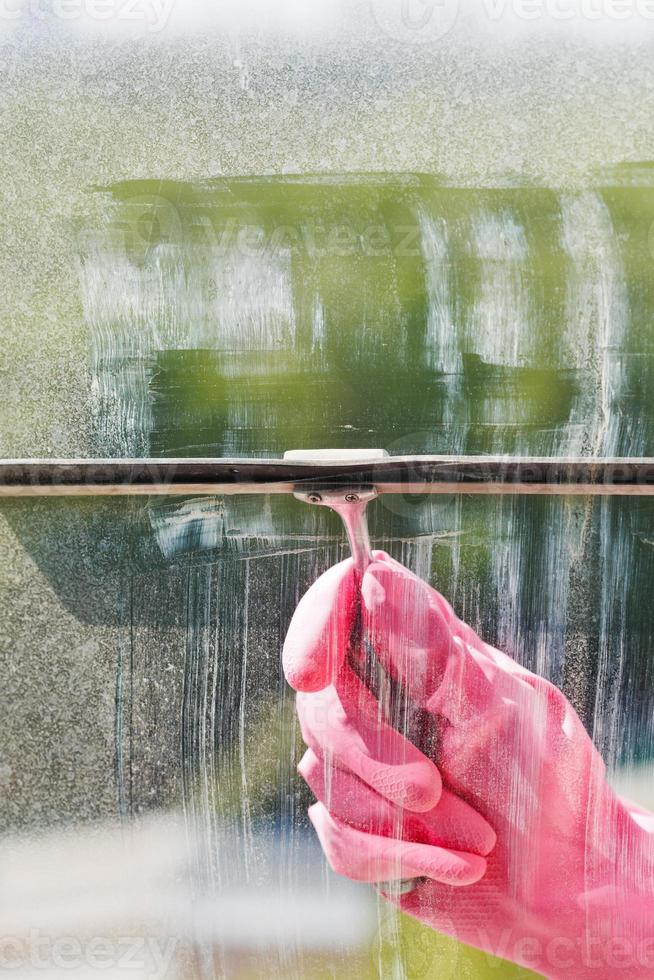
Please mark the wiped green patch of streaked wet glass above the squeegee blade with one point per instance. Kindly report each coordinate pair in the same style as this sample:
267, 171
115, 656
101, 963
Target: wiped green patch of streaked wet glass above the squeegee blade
251, 316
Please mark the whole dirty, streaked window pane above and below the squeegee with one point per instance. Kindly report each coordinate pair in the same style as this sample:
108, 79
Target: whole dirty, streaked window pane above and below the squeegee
461, 264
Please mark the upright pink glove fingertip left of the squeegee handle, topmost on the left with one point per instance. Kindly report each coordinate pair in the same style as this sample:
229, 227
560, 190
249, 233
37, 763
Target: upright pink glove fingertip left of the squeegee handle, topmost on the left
317, 639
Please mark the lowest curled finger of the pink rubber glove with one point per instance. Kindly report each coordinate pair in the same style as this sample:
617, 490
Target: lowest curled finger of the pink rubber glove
367, 857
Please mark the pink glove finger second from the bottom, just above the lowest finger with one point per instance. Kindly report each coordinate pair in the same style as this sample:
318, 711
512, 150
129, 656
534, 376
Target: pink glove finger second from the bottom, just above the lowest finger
452, 823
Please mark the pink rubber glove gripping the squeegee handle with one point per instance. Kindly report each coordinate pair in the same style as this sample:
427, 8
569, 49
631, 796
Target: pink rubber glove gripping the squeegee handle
520, 846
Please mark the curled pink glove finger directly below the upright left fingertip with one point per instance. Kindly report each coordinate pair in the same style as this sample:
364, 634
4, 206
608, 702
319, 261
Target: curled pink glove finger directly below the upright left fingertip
338, 727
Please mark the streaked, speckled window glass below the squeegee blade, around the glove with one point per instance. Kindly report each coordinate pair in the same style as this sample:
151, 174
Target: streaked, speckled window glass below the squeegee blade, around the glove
166, 705
